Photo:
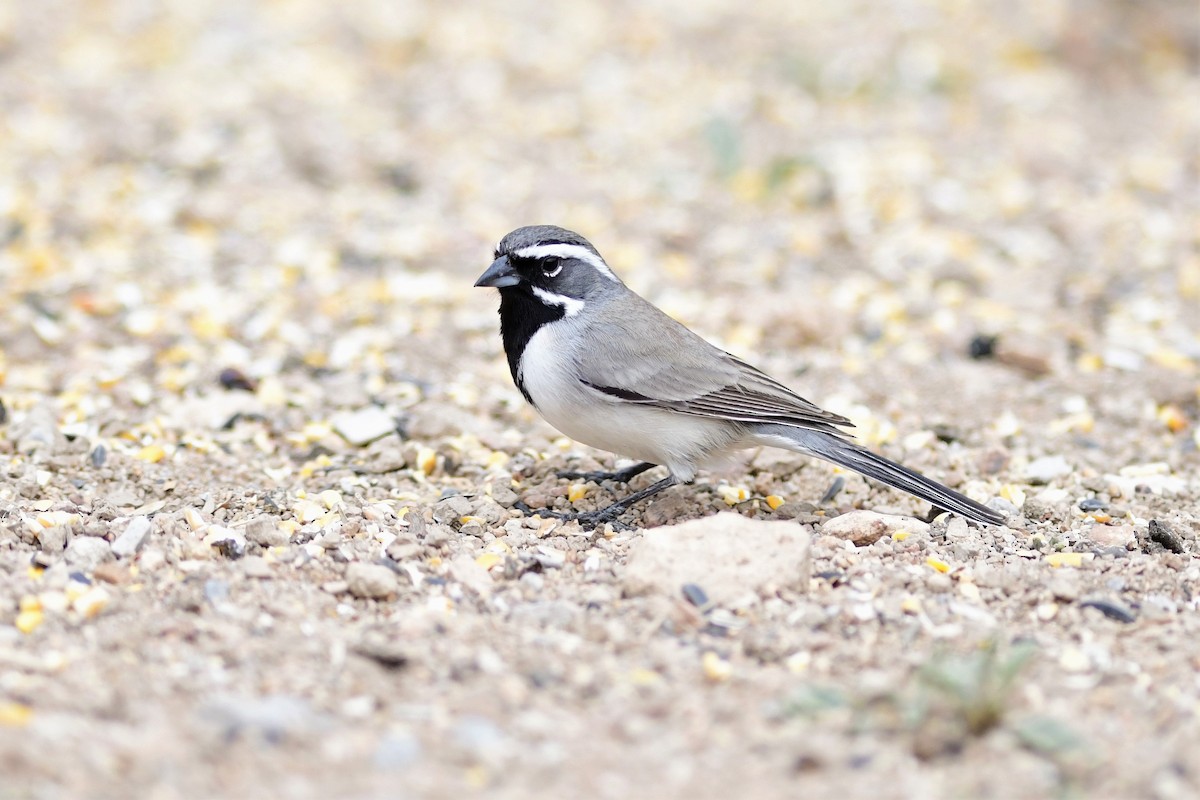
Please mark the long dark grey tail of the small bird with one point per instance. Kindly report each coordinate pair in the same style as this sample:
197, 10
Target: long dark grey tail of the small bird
865, 462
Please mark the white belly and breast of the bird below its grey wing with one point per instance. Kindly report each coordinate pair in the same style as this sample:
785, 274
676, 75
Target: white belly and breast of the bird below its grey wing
679, 442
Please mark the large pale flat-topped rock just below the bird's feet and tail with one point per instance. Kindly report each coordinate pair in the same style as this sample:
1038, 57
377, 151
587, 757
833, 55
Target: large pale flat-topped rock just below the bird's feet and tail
731, 557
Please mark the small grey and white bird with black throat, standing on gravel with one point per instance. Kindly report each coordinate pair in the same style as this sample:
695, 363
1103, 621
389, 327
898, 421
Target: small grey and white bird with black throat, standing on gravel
613, 371
